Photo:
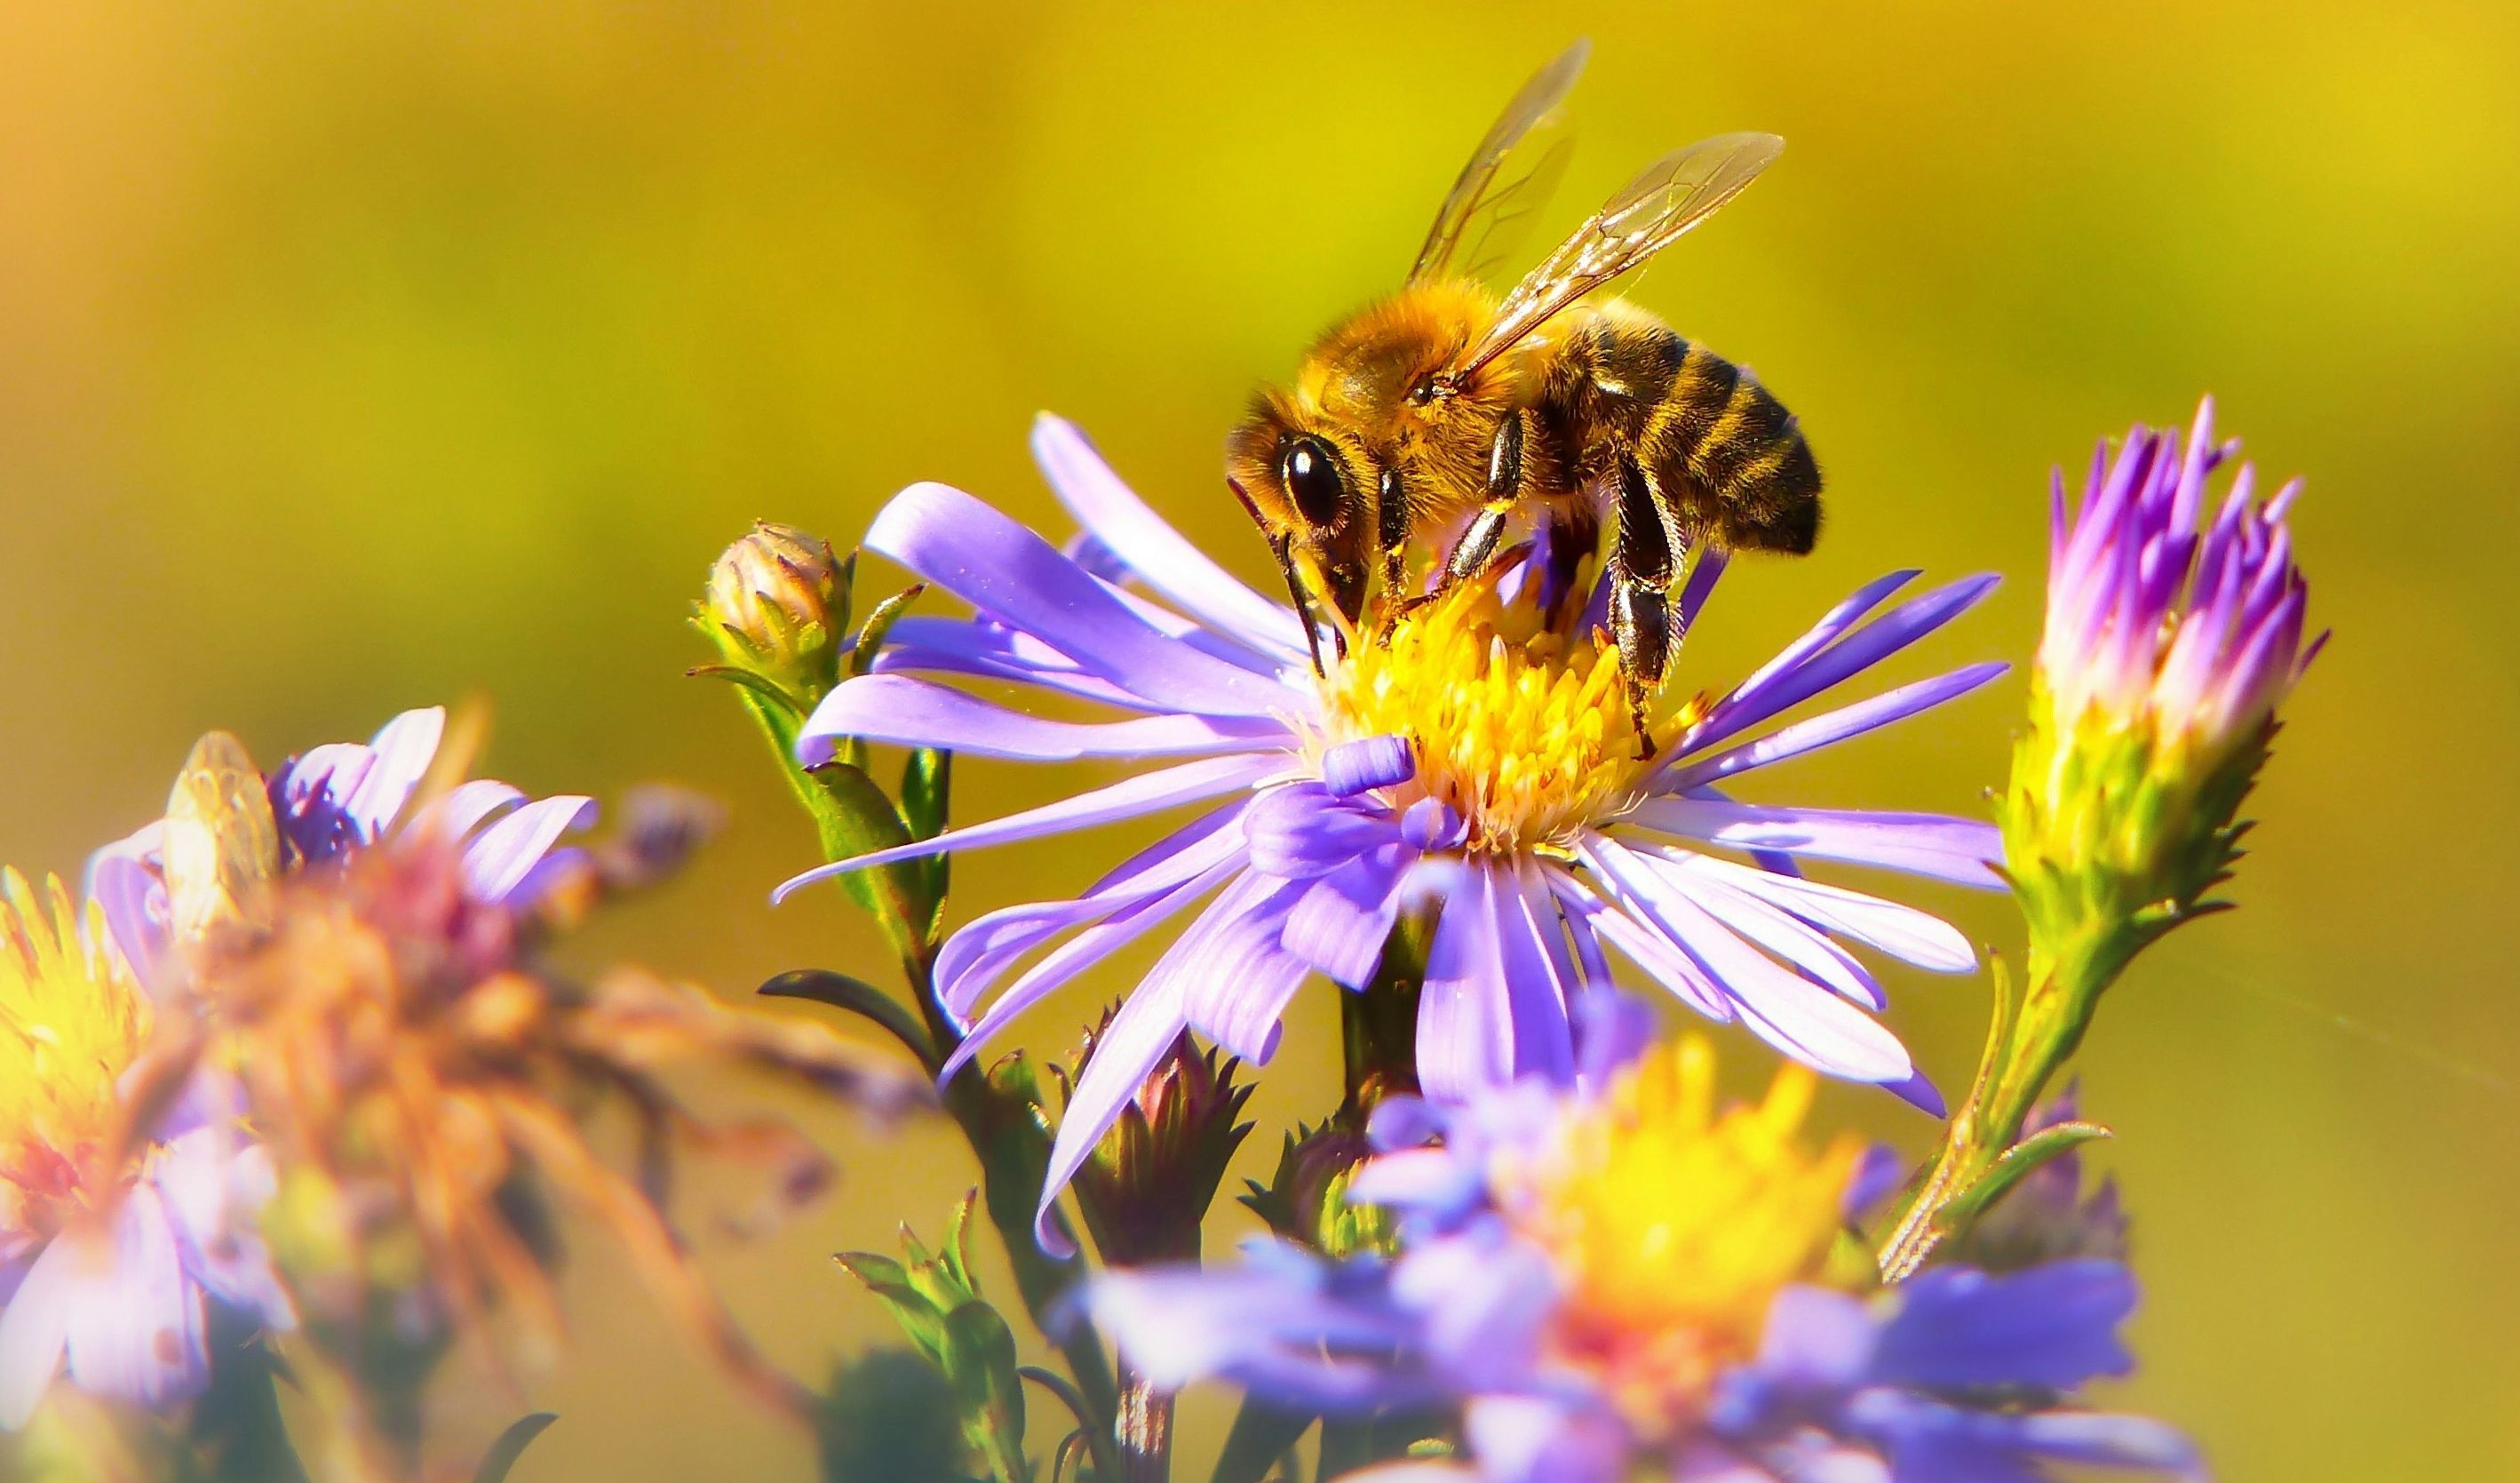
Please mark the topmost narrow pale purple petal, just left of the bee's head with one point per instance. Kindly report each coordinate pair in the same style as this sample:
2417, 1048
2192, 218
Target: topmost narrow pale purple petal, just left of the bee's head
1153, 551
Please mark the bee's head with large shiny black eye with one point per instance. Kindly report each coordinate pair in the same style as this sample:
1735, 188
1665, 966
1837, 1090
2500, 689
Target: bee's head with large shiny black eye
1312, 493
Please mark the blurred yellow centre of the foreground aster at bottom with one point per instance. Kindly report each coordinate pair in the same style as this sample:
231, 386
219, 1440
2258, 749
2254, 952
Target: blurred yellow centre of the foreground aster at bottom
1675, 1227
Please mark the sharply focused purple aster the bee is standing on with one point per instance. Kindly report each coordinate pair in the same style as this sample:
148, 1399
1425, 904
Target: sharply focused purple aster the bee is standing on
1478, 755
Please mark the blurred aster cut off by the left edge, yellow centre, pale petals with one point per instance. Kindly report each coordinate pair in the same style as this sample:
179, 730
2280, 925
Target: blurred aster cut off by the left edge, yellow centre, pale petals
107, 1272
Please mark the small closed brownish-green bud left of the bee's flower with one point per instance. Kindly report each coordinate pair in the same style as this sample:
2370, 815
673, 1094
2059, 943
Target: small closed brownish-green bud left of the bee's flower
777, 607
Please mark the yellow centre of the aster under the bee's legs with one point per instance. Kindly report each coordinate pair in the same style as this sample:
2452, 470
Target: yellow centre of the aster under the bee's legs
1521, 730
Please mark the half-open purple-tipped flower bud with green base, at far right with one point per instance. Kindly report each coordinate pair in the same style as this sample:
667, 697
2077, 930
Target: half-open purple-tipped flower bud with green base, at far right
2171, 642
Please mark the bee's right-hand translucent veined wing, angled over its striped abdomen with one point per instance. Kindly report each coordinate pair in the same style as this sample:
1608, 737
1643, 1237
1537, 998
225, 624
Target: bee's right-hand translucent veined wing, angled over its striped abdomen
1667, 201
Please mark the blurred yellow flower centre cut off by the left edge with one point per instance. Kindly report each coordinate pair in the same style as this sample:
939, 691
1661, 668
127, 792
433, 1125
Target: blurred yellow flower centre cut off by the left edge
72, 1020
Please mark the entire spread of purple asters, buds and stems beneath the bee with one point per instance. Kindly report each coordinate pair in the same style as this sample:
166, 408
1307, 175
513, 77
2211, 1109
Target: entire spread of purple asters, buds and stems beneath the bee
296, 1066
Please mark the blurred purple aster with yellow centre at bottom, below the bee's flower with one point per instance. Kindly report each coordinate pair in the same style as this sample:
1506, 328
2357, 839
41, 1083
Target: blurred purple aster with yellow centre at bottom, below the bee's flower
1627, 1280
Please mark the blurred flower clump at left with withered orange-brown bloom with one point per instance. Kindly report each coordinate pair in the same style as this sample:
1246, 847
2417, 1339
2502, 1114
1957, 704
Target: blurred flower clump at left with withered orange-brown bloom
294, 1066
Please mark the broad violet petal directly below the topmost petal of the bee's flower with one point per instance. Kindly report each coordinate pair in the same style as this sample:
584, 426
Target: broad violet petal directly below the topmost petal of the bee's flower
1019, 579
